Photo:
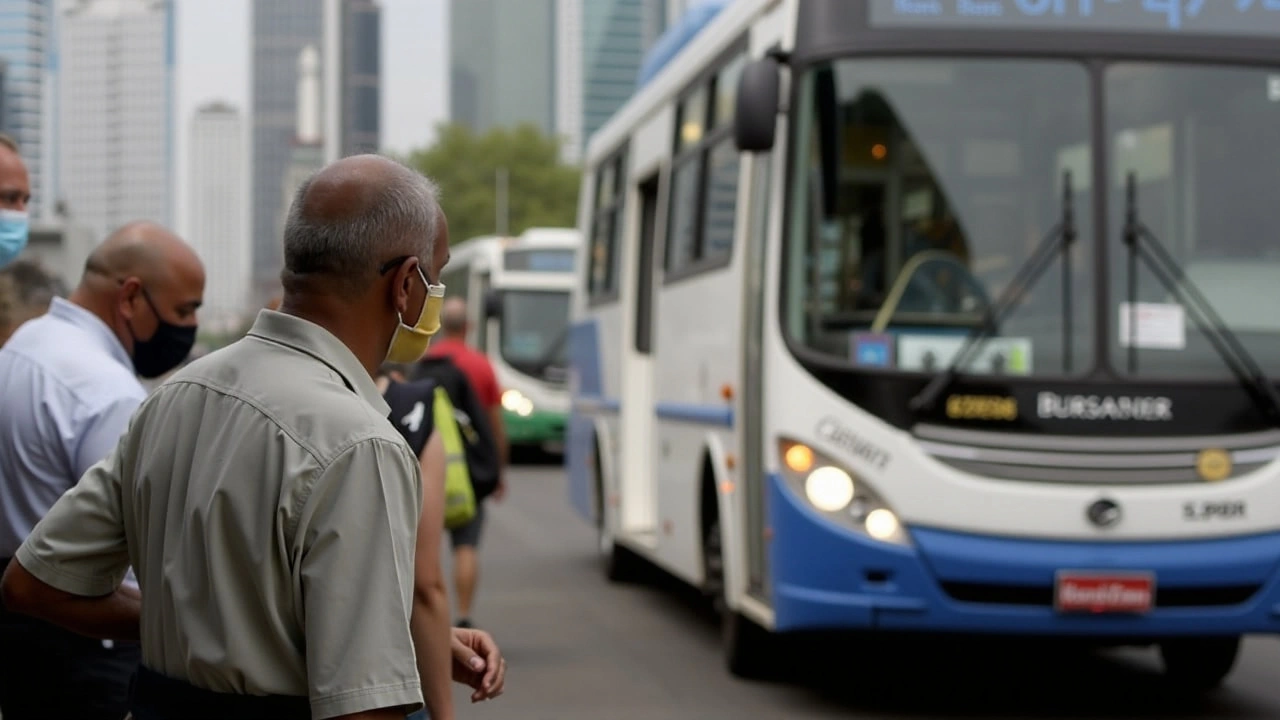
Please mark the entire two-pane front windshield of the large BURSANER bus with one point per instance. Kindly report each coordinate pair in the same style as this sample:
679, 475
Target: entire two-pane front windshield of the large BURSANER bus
924, 186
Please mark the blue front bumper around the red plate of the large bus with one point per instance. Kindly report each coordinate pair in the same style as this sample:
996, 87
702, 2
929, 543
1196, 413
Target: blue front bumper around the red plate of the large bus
828, 577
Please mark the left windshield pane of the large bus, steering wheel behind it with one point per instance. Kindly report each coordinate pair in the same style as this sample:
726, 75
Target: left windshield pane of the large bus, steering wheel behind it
948, 179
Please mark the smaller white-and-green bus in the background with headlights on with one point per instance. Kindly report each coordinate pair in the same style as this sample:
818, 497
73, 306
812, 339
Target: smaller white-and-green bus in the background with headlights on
518, 294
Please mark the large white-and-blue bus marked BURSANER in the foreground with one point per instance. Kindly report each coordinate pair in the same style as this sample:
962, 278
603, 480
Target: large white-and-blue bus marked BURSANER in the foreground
944, 317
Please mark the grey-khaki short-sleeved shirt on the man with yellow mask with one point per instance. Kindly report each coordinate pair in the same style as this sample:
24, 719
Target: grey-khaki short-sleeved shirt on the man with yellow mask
271, 511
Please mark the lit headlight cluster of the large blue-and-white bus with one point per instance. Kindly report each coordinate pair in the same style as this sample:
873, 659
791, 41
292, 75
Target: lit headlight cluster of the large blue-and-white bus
839, 494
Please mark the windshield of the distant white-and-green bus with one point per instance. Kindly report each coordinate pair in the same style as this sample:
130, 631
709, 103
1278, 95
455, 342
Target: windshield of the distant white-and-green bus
533, 329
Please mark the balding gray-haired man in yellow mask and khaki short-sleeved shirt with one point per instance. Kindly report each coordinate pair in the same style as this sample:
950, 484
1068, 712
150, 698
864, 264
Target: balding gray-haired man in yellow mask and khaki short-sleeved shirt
268, 505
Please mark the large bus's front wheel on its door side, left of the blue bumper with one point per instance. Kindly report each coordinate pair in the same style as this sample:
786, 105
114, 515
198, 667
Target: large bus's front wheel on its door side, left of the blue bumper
751, 651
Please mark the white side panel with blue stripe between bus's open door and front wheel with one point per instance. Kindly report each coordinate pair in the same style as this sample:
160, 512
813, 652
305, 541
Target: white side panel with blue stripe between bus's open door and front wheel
698, 348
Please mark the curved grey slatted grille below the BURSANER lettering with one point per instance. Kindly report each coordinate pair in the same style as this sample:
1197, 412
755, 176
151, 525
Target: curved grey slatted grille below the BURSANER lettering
1092, 461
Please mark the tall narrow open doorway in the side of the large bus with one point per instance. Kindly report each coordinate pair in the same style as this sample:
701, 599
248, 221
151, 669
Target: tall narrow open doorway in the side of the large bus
639, 498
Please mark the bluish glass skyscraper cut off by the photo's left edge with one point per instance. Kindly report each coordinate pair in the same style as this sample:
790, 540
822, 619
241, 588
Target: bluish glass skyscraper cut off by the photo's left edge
25, 38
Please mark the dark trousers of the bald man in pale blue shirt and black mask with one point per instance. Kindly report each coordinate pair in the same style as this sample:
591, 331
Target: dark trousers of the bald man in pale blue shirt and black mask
51, 675
